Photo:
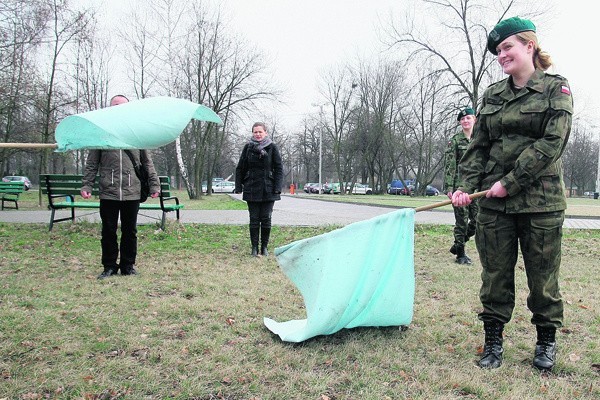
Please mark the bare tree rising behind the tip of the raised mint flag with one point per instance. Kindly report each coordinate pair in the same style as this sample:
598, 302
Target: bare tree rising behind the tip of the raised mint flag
226, 75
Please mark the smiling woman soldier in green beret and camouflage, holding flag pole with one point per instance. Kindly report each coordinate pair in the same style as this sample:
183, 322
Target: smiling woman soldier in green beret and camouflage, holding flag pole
522, 129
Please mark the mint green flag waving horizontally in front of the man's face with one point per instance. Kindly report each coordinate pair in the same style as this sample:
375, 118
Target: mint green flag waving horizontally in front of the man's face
139, 124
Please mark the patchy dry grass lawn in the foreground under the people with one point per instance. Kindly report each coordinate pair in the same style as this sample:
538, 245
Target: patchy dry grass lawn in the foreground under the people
190, 325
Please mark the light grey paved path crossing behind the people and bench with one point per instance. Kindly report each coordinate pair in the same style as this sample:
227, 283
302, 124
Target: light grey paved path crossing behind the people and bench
290, 211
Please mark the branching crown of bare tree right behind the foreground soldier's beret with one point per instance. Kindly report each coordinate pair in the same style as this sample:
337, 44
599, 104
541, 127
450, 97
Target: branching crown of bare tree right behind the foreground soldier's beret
458, 47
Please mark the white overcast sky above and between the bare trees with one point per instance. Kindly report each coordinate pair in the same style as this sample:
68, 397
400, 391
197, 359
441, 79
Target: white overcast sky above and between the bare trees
305, 38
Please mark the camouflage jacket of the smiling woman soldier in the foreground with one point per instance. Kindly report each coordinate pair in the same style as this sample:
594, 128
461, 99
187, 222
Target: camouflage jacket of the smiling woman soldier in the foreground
518, 140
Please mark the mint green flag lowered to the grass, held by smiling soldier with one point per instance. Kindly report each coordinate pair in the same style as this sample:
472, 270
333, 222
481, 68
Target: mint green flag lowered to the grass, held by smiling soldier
359, 275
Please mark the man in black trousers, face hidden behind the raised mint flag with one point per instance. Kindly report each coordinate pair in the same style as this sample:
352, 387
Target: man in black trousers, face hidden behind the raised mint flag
119, 199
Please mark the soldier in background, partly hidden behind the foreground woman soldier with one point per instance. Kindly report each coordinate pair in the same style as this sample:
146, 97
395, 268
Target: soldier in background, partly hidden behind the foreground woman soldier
464, 226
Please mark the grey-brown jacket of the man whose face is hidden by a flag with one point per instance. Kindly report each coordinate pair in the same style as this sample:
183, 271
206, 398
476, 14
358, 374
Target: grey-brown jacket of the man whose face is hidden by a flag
118, 180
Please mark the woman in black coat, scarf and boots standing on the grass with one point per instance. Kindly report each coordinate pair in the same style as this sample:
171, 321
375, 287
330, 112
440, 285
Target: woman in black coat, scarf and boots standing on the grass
259, 176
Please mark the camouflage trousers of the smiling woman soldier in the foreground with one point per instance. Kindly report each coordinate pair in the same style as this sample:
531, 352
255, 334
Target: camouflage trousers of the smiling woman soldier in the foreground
498, 238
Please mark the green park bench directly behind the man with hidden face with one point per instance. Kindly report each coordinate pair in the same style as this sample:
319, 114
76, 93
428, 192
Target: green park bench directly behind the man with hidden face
63, 189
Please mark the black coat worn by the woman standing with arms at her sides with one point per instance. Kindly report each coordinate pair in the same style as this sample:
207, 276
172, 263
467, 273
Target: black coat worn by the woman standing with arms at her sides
260, 178
